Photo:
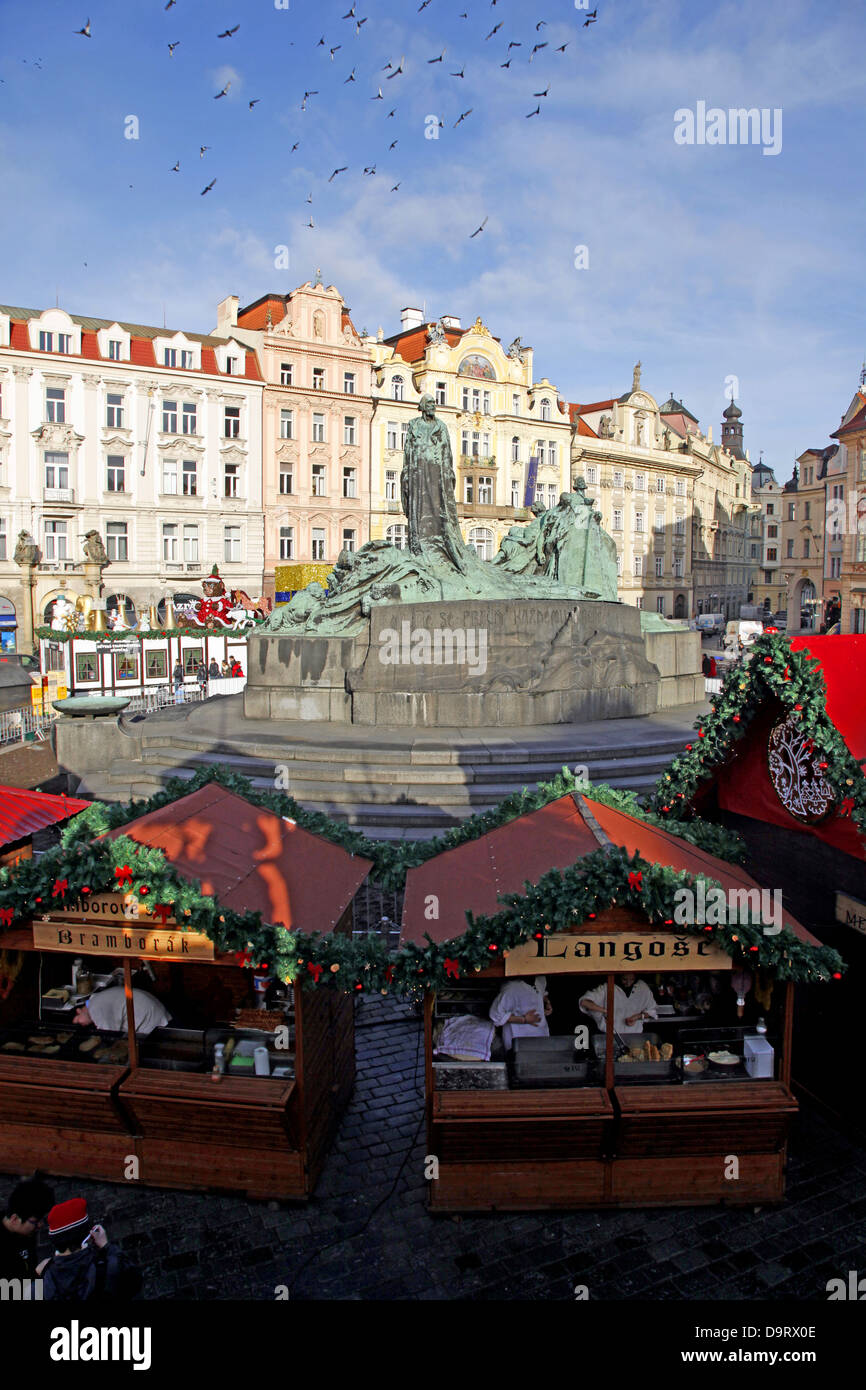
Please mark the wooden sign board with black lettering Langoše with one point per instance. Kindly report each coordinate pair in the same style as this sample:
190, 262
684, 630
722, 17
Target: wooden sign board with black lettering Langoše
615, 951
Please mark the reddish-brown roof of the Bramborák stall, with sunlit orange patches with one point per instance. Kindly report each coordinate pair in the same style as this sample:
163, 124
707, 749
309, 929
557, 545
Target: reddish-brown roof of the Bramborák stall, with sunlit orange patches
254, 861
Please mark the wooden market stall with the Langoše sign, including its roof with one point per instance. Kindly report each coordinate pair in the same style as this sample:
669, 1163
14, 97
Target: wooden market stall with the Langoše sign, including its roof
594, 1120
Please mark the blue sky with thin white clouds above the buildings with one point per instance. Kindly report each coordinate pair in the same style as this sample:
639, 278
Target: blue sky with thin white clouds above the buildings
704, 262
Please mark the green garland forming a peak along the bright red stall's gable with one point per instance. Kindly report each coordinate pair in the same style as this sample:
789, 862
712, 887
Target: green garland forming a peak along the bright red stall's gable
797, 683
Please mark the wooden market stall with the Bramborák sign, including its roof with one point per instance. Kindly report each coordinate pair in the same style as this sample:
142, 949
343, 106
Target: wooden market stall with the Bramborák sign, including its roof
163, 1107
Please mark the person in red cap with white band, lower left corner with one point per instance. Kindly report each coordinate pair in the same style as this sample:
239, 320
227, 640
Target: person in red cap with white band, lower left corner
85, 1263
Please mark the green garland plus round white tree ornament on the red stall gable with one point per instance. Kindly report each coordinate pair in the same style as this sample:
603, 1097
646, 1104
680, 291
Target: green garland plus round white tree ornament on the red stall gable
812, 769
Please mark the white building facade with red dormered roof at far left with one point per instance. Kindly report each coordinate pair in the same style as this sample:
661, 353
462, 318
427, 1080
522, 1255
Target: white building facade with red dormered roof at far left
151, 437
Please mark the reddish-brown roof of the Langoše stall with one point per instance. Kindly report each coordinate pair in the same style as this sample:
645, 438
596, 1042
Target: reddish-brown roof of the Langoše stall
472, 878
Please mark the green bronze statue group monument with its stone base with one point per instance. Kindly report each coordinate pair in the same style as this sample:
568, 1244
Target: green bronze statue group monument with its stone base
432, 636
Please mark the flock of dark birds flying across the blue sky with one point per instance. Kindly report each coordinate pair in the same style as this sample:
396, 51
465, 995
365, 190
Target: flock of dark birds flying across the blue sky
391, 72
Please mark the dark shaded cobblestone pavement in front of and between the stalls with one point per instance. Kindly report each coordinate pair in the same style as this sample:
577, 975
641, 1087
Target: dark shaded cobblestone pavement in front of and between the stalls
368, 1234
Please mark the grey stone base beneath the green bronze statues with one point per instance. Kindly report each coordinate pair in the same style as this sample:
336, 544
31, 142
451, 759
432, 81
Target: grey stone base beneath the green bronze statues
473, 664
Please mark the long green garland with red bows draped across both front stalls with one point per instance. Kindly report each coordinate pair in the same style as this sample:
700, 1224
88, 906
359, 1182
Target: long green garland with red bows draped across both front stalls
558, 903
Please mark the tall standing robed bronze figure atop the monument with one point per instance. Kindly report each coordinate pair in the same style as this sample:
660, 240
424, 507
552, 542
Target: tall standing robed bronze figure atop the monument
427, 490
